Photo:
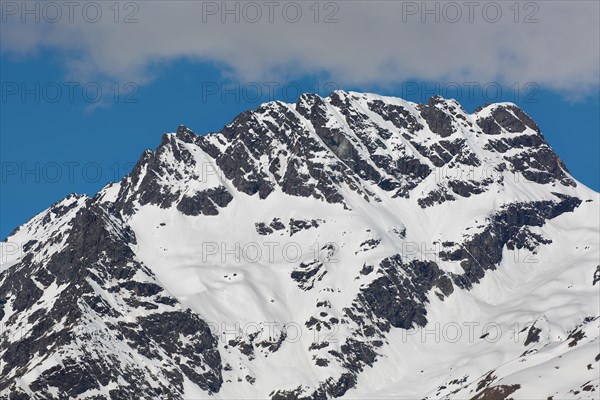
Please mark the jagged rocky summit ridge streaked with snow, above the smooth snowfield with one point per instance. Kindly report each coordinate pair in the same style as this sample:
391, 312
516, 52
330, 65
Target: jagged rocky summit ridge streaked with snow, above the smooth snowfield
373, 145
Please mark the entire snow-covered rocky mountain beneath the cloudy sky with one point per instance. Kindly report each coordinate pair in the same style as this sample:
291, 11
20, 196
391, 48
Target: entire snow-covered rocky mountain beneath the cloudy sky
354, 246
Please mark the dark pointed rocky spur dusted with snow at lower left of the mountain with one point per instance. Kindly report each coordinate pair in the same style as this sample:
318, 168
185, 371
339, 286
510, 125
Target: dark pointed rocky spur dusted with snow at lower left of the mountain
92, 337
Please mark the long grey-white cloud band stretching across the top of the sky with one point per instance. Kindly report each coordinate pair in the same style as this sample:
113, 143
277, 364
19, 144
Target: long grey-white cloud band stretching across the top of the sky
373, 43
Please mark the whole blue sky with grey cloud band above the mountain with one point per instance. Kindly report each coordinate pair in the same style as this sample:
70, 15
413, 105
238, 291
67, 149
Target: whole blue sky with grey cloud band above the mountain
161, 71
